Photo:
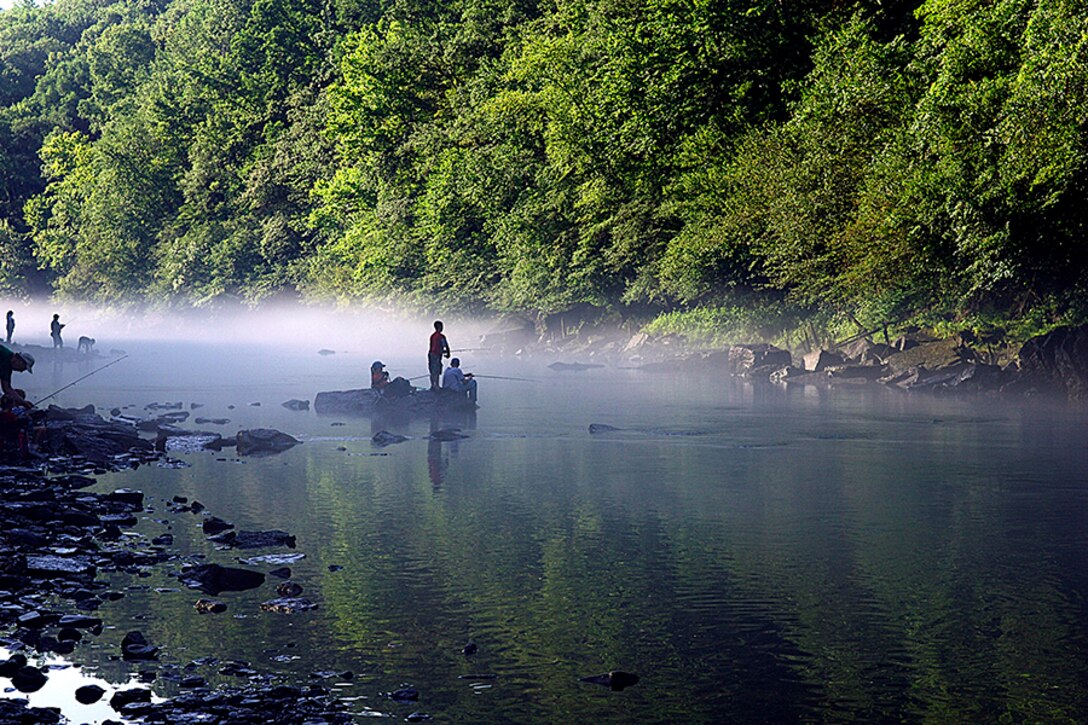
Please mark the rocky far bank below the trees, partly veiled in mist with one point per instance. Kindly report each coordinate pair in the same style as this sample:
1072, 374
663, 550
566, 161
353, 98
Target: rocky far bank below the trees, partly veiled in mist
1055, 365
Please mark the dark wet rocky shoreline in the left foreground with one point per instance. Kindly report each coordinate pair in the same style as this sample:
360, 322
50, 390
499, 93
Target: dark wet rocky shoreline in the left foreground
57, 538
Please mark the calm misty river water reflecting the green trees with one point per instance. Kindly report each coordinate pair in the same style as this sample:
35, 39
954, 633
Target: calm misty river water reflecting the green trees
753, 554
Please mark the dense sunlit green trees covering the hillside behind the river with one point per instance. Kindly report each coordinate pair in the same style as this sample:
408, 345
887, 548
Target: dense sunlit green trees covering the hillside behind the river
877, 158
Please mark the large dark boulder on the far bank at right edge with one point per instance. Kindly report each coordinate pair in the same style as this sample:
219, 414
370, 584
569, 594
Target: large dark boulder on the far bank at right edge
1058, 361
